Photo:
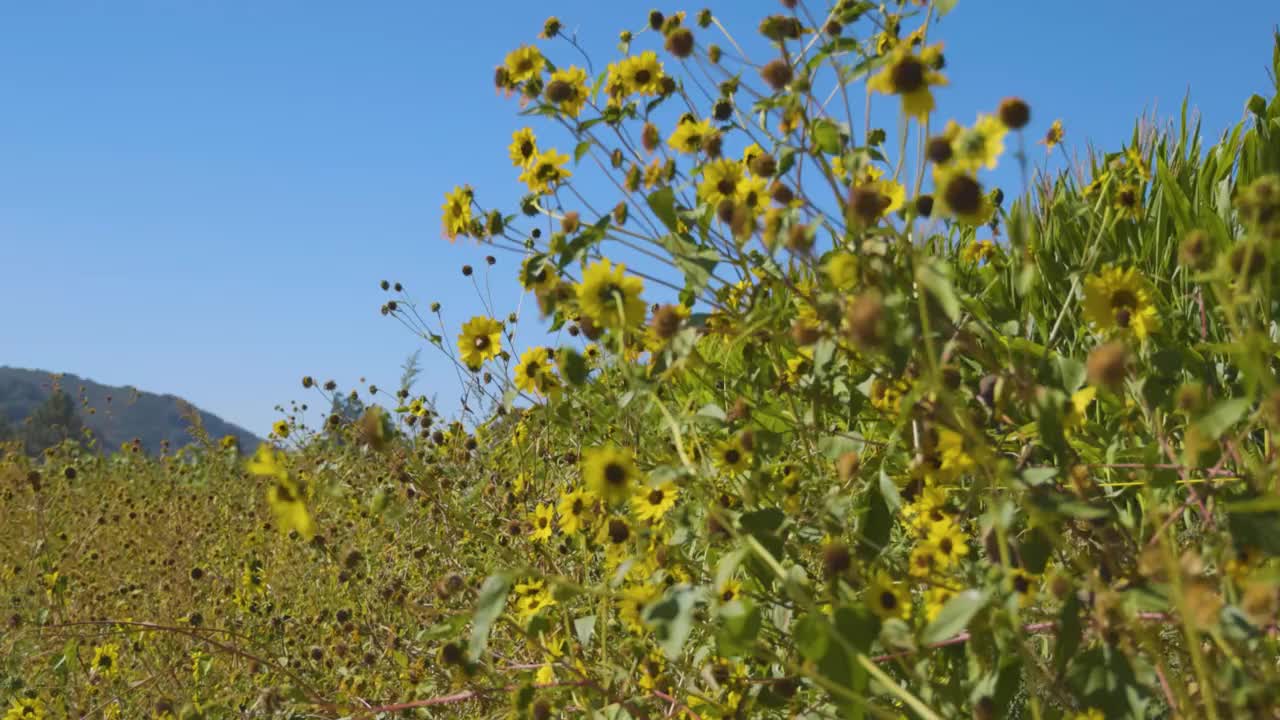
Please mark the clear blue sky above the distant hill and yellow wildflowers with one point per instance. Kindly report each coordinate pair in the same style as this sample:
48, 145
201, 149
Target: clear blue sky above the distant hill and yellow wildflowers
202, 198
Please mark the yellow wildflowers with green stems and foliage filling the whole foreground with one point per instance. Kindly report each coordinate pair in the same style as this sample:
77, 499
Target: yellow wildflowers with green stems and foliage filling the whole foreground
822, 425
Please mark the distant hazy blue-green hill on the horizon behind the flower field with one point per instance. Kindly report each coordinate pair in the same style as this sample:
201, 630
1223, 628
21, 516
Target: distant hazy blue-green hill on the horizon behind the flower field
116, 414
